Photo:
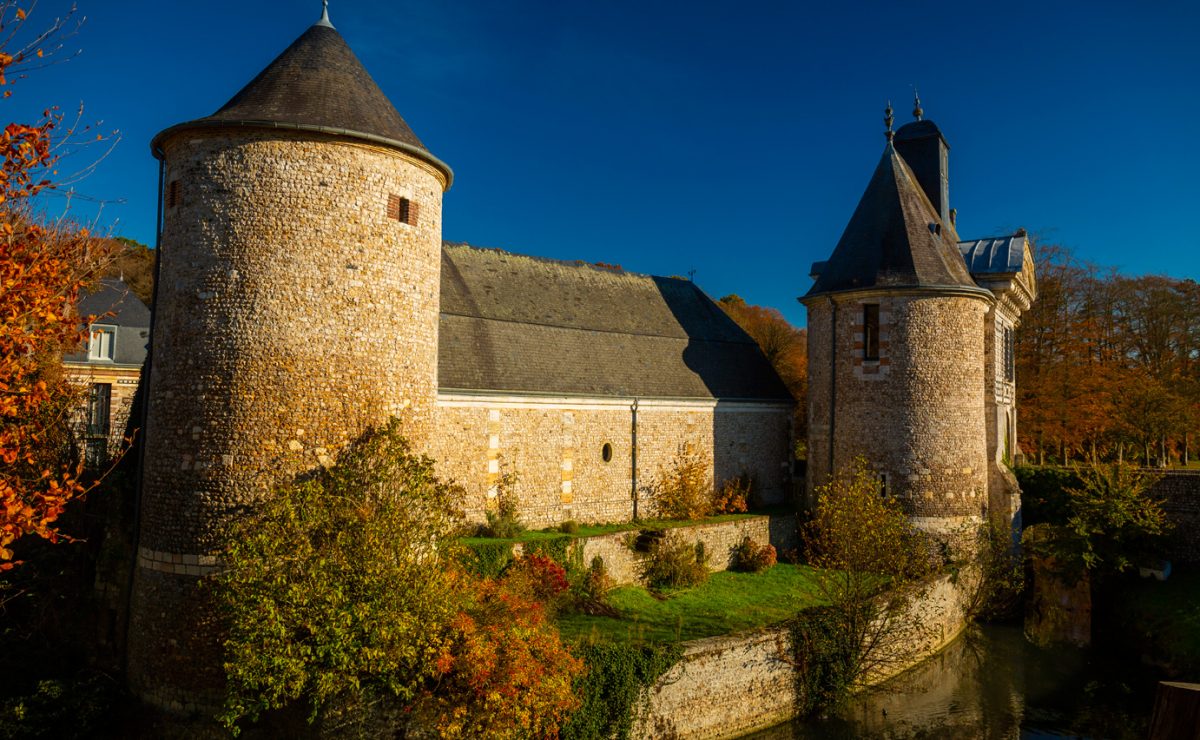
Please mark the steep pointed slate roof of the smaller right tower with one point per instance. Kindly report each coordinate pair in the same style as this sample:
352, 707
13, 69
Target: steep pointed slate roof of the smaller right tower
895, 239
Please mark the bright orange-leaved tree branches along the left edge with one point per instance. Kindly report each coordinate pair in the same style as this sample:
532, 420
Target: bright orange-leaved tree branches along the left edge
44, 267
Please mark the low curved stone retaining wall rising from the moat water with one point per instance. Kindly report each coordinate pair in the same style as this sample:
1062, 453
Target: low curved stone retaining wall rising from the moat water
729, 687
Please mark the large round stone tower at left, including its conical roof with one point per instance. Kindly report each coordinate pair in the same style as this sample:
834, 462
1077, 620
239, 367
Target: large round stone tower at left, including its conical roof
297, 304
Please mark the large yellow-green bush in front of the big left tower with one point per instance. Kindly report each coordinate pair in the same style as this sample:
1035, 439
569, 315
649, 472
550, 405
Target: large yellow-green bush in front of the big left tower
338, 592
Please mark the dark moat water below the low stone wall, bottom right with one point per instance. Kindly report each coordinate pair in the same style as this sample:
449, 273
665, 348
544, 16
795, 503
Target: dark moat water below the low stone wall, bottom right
993, 684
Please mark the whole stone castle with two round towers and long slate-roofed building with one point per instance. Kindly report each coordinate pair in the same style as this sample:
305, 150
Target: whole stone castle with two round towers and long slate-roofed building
305, 293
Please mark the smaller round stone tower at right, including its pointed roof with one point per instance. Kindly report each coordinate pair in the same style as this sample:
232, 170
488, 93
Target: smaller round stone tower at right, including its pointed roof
897, 345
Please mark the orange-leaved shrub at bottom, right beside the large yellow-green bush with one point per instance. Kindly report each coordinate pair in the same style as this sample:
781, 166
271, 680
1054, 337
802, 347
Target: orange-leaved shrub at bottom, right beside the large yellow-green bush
506, 673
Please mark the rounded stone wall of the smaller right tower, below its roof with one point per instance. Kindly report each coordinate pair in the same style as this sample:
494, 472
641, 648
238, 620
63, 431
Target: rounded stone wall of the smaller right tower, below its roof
917, 413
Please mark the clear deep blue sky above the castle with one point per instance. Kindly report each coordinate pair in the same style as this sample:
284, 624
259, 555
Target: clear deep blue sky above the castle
729, 139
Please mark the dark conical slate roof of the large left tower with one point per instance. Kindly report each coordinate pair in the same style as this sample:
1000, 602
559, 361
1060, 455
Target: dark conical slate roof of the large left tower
317, 85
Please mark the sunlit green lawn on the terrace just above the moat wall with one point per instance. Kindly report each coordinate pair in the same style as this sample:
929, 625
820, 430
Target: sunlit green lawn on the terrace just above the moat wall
729, 603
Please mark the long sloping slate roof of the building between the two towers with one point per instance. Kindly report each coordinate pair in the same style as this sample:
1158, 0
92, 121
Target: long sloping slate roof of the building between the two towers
525, 324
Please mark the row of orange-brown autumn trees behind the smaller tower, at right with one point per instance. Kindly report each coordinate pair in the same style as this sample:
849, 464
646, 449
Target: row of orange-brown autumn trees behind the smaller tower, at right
1108, 365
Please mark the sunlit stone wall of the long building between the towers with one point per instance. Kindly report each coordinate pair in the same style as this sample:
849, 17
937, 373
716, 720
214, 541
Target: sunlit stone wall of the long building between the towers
573, 459
